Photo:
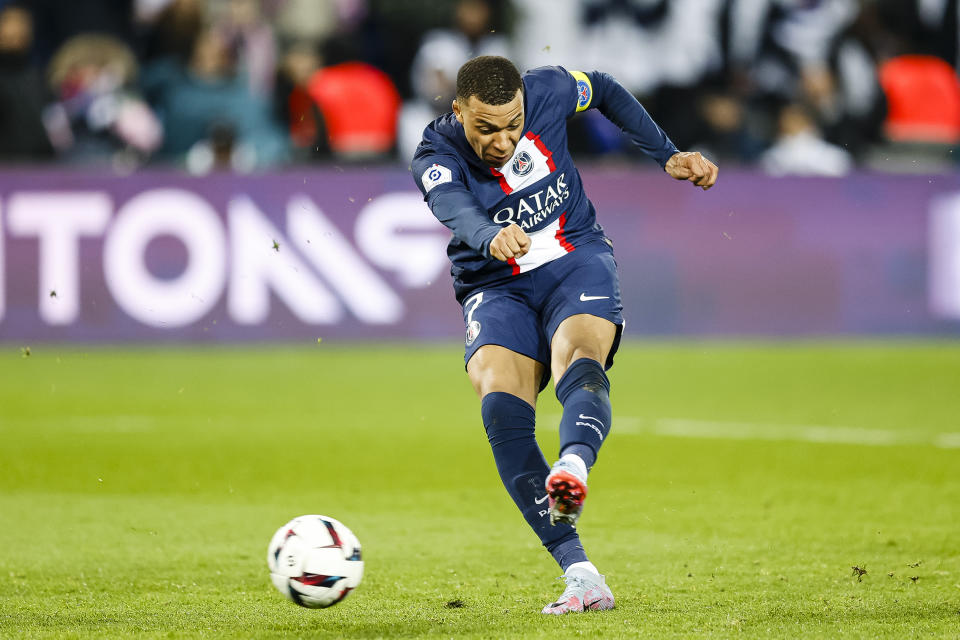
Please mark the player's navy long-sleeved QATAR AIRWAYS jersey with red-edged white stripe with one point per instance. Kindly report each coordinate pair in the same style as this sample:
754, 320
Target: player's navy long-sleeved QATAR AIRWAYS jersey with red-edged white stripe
538, 189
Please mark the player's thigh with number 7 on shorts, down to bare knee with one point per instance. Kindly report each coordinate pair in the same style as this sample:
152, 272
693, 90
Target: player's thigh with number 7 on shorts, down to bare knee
505, 347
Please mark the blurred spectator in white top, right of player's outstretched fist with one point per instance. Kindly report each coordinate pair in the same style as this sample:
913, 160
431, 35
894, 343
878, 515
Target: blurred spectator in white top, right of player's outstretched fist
799, 149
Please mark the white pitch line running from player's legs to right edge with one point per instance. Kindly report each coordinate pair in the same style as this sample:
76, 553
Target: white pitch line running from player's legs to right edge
712, 429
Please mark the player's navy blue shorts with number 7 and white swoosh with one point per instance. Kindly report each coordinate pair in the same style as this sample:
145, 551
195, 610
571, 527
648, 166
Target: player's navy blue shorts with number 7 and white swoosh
523, 313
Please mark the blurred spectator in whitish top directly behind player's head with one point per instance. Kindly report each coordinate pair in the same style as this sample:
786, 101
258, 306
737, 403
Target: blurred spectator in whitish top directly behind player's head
433, 75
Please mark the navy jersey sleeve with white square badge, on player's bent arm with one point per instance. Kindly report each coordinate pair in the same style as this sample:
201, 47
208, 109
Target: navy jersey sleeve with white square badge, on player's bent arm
440, 179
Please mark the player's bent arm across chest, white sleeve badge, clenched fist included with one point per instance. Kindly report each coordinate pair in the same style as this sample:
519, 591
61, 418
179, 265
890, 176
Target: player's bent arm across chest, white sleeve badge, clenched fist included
440, 180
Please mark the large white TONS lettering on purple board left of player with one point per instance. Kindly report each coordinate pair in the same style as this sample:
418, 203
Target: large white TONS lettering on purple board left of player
314, 270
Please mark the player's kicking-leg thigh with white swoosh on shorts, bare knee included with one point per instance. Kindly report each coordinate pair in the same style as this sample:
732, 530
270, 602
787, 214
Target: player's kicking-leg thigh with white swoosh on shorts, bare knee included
583, 317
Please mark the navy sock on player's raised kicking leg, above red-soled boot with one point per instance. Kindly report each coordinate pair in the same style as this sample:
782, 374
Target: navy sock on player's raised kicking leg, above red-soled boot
584, 392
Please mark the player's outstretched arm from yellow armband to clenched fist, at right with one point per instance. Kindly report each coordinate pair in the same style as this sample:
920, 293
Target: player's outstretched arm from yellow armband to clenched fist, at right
602, 91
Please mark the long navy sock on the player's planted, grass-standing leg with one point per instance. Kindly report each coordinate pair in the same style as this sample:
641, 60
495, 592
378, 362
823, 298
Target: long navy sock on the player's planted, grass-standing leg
509, 422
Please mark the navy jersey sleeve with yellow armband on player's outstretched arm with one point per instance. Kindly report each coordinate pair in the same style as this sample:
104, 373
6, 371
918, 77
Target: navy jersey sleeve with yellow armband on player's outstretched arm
577, 91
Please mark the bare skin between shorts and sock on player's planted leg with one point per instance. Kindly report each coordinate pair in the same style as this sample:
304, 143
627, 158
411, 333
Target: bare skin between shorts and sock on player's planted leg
494, 368
